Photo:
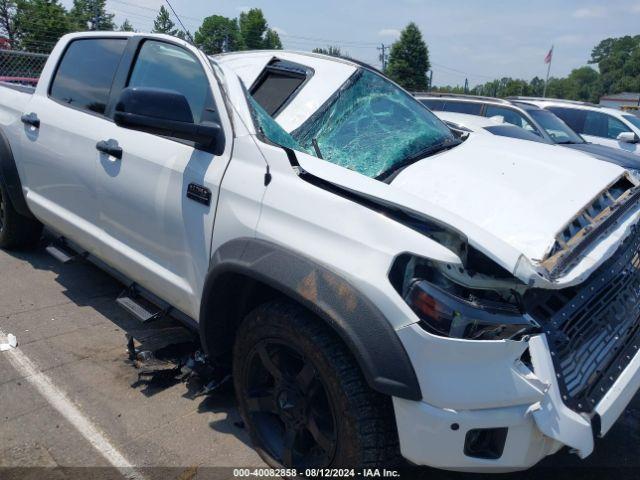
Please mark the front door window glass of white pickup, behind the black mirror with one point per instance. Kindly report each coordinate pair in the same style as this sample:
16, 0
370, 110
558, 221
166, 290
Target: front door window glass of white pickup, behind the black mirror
166, 66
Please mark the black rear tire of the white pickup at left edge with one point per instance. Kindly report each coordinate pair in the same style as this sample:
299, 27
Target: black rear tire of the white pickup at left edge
16, 231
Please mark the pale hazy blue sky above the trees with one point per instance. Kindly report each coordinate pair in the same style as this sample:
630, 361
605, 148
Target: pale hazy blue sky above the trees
478, 40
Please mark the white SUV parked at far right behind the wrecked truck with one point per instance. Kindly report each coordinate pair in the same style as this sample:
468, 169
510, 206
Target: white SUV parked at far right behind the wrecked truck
602, 125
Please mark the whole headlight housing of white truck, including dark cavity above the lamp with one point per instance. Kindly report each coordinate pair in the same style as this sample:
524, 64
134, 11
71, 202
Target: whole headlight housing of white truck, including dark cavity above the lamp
447, 308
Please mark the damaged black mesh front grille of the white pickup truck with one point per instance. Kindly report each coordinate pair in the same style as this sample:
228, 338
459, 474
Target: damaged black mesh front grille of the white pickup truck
593, 329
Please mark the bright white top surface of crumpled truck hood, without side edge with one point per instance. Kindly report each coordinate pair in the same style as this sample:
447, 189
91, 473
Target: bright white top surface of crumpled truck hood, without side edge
522, 192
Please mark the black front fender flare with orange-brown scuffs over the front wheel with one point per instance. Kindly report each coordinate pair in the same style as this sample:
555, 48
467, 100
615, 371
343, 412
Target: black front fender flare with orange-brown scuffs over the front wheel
358, 322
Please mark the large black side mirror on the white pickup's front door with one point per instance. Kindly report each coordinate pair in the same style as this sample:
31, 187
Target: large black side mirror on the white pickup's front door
163, 112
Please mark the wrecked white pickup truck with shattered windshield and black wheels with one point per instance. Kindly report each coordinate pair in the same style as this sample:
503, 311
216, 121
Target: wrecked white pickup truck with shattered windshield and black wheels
379, 288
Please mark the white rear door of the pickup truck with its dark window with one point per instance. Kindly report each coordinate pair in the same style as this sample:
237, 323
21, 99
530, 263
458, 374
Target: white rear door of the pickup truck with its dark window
58, 157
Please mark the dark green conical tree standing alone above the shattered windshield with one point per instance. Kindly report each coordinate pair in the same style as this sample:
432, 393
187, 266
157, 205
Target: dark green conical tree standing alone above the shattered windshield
409, 59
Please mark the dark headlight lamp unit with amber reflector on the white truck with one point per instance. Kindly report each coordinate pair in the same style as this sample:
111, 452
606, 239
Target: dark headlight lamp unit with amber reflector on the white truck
444, 314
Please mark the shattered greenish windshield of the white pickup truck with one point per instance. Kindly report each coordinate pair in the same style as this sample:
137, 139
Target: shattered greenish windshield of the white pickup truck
371, 126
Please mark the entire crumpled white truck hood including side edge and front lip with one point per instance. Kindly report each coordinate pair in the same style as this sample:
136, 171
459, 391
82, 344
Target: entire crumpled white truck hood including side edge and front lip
508, 197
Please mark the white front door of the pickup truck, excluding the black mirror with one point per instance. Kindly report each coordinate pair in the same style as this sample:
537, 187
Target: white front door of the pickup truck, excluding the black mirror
154, 232
